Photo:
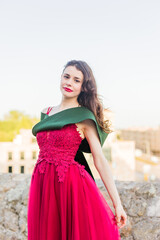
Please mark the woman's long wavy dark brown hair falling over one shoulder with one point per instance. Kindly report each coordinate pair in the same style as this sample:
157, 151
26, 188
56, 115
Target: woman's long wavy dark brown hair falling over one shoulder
89, 97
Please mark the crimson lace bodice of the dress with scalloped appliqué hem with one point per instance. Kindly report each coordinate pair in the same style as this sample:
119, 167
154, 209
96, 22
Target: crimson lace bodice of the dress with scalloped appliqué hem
59, 147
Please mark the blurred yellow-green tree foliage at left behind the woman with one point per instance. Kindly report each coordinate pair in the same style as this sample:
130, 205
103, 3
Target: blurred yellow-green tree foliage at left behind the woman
13, 122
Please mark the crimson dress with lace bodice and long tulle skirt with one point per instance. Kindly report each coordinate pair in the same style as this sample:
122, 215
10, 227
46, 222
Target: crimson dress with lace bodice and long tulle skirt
64, 201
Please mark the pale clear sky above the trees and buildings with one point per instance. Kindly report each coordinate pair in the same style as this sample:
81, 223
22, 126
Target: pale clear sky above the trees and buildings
120, 40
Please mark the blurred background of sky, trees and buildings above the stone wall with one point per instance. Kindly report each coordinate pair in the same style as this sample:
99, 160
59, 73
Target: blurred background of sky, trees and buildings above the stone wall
120, 42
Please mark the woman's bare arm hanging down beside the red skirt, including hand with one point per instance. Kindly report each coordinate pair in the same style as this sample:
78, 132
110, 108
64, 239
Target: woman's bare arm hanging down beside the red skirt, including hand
102, 167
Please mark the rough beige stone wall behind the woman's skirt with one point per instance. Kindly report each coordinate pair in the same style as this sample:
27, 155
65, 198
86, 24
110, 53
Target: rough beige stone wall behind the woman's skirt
141, 202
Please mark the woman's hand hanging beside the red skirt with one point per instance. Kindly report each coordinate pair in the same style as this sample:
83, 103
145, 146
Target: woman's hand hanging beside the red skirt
120, 216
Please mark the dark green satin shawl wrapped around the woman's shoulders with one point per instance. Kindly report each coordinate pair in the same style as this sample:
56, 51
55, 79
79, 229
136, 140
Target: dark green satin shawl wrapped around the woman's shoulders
68, 116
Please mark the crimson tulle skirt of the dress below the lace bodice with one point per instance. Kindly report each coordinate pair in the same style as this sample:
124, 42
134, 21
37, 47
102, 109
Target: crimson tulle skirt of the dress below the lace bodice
71, 210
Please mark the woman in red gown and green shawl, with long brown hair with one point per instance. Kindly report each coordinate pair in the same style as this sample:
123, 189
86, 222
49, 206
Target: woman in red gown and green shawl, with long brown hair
64, 200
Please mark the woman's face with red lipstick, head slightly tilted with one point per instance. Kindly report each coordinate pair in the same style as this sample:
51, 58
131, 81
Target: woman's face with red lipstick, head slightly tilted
72, 79
